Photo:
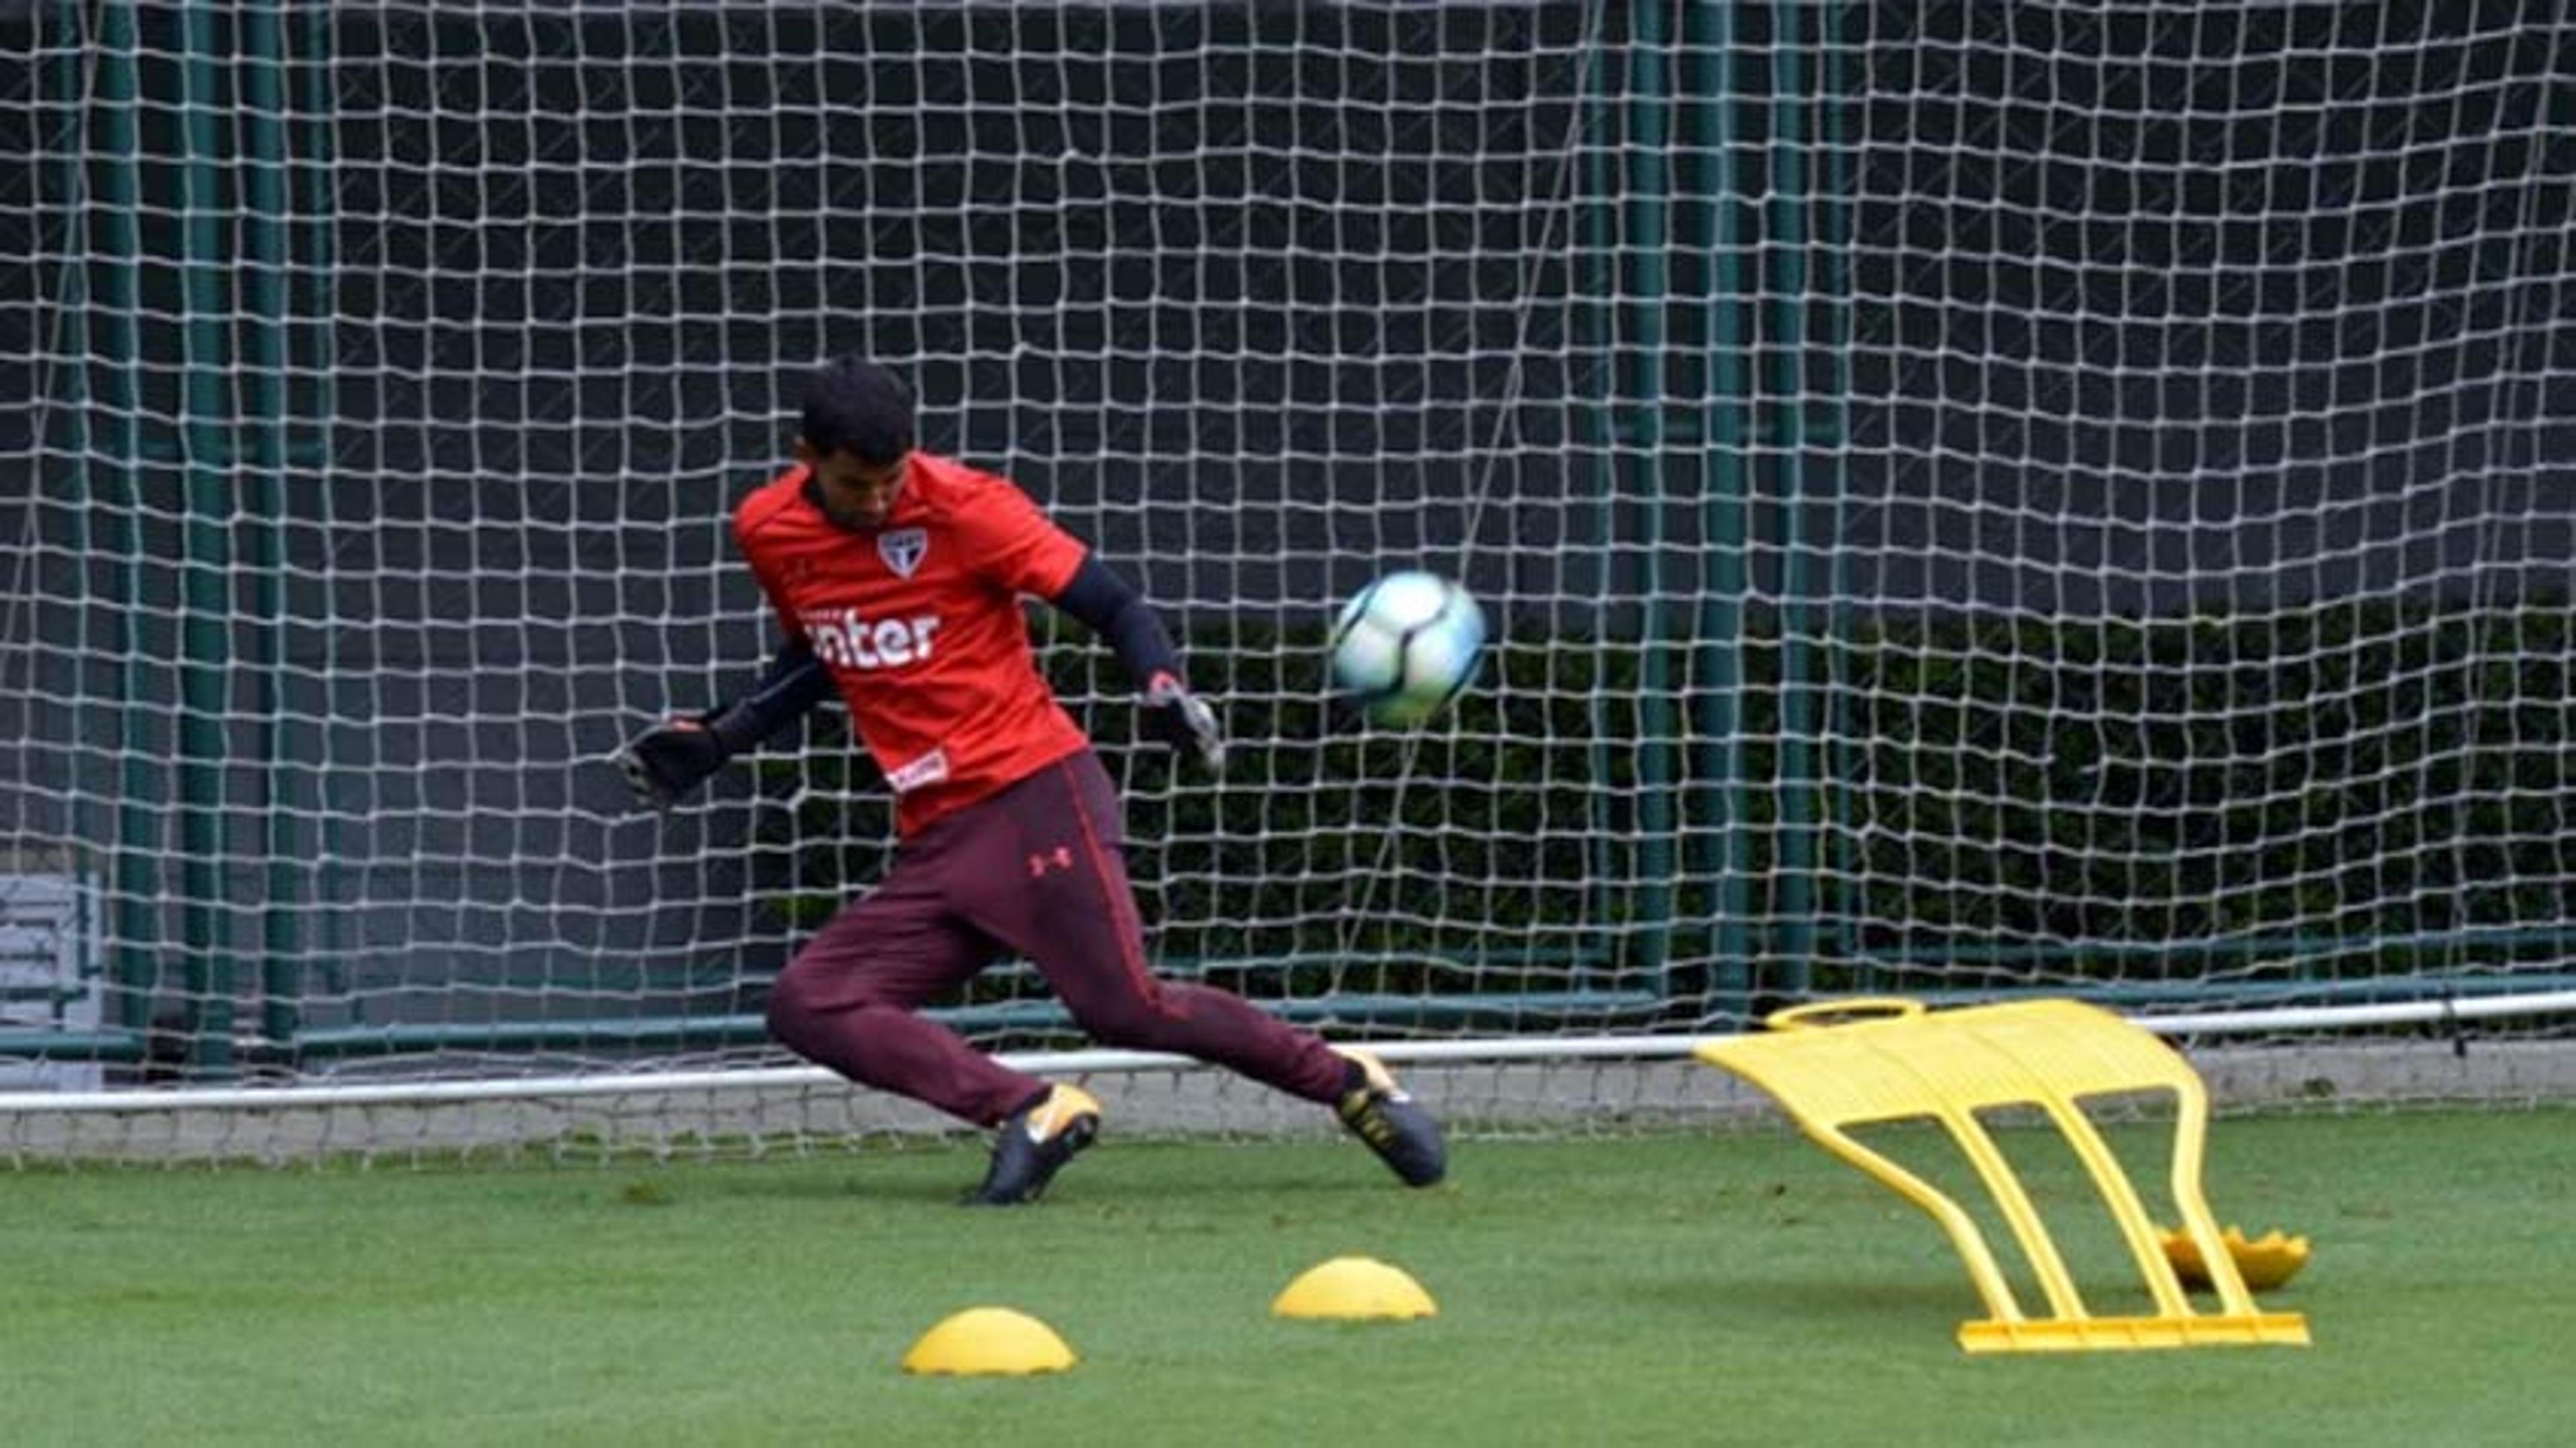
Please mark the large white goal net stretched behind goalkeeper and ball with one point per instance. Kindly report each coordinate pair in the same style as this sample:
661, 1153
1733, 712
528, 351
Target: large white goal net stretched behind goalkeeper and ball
1975, 501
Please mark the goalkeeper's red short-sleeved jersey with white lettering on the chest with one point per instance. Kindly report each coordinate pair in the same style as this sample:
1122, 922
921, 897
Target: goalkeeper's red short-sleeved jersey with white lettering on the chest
923, 627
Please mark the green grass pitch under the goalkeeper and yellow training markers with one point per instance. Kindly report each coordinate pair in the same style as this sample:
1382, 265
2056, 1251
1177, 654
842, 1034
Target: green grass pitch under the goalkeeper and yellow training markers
1665, 1290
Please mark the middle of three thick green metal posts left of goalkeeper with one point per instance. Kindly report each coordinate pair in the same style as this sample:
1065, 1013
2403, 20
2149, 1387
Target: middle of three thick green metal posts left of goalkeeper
207, 558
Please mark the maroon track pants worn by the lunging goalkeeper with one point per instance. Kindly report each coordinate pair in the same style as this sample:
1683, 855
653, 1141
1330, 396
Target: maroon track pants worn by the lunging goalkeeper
1034, 872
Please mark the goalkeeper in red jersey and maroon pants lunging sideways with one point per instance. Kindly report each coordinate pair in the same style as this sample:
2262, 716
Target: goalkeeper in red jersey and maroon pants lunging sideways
898, 578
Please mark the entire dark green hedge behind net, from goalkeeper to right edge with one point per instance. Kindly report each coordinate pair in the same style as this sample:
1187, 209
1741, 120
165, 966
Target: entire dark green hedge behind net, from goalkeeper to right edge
2366, 782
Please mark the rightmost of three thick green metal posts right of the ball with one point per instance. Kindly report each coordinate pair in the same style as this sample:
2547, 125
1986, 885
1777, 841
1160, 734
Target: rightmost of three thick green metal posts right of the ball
1786, 233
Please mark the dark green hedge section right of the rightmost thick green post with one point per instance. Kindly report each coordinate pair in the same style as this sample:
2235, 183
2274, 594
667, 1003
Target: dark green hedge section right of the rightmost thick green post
2353, 774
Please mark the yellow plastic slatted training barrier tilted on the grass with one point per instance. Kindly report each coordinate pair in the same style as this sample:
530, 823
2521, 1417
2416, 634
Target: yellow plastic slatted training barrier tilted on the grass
1889, 1060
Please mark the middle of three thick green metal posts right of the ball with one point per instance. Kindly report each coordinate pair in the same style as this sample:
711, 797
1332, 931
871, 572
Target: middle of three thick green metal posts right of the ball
1725, 841
